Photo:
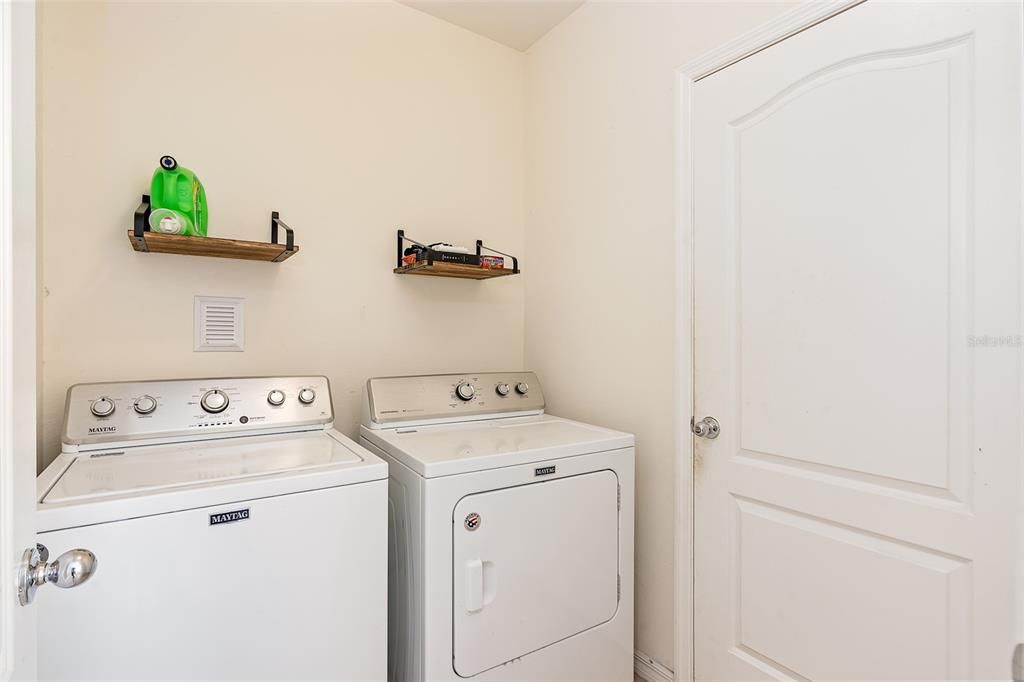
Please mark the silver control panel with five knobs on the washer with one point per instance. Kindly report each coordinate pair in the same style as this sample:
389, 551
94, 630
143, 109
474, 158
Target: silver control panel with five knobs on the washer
138, 411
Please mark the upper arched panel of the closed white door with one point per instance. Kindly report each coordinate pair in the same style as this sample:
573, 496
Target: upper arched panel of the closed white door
849, 331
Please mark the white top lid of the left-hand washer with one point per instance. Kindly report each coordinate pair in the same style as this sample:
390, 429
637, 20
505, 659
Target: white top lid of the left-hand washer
159, 468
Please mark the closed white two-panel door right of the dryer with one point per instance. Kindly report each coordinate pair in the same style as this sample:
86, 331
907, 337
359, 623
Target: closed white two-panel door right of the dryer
858, 317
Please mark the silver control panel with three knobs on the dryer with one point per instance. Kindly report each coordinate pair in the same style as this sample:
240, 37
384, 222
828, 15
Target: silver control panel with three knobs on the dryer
475, 395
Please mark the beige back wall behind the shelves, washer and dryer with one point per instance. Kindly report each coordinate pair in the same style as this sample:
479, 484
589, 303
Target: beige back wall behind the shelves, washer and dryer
351, 119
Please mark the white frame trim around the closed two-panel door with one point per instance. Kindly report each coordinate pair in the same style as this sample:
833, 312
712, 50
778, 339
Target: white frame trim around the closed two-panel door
785, 26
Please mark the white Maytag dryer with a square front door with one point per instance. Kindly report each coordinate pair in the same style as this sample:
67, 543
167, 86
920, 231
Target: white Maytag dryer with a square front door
511, 533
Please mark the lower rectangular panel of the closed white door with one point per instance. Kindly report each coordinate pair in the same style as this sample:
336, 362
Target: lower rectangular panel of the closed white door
798, 573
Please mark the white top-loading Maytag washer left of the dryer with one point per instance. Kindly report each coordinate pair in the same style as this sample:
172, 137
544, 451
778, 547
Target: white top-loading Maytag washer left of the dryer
237, 535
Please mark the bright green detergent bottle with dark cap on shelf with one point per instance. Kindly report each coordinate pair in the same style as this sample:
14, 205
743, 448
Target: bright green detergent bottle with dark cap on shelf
179, 201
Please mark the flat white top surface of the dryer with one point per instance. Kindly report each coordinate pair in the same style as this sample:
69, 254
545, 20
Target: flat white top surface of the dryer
461, 448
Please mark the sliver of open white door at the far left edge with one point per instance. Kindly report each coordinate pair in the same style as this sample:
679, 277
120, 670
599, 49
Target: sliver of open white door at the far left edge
18, 331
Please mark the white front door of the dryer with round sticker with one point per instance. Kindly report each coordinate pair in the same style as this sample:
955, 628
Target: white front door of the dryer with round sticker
534, 565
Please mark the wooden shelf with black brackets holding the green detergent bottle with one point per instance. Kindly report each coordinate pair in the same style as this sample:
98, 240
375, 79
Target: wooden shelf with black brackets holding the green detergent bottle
149, 242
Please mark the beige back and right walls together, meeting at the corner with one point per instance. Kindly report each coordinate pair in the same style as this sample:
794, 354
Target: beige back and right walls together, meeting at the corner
352, 120
